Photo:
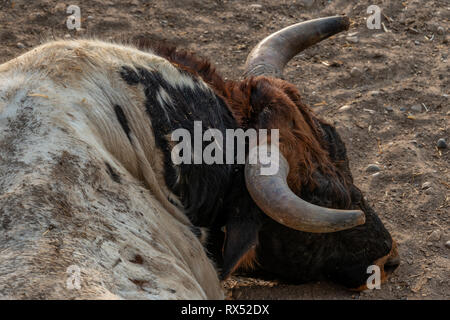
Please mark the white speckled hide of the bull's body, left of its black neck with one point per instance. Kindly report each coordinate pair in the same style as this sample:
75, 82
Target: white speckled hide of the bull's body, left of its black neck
81, 192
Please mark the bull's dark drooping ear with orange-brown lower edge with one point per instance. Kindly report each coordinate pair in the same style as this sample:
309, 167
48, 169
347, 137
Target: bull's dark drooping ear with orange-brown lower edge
241, 239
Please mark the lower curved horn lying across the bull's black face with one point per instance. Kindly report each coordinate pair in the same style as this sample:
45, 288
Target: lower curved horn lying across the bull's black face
273, 196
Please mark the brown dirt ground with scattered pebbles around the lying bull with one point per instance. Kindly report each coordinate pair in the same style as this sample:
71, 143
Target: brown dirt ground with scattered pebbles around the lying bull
393, 83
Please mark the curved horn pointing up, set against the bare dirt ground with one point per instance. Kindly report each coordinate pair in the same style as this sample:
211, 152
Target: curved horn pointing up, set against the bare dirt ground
270, 55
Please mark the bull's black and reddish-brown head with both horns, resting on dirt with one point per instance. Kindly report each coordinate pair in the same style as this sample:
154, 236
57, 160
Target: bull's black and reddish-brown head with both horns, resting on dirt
310, 220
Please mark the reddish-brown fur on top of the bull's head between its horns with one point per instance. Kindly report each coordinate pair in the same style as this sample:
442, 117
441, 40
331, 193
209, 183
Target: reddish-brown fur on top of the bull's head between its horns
300, 142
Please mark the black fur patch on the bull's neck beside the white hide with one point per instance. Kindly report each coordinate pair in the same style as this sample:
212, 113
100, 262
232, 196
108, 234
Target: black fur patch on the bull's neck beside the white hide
202, 188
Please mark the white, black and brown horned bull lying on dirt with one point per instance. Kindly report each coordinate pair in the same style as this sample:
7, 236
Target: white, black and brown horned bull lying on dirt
88, 182
